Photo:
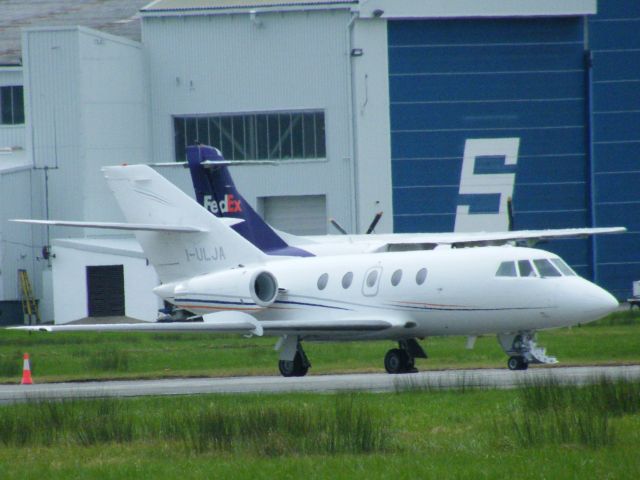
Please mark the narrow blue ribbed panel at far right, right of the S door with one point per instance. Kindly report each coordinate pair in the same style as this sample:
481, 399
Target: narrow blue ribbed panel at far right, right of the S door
614, 40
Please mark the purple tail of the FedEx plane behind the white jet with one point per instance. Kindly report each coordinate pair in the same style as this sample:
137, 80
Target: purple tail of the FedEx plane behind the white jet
216, 192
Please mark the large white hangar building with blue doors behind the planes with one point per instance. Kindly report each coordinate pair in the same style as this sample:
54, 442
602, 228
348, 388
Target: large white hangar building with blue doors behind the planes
431, 111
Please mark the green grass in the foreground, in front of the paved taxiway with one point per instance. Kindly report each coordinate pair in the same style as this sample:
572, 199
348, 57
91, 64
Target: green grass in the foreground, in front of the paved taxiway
412, 434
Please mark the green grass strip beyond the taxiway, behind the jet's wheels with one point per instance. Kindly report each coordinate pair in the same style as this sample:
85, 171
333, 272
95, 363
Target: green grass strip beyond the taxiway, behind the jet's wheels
82, 356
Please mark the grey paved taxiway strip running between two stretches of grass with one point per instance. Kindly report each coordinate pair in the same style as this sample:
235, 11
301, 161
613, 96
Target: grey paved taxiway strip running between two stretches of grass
375, 382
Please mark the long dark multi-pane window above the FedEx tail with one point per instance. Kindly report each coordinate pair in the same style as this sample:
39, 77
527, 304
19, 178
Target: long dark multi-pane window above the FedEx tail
254, 136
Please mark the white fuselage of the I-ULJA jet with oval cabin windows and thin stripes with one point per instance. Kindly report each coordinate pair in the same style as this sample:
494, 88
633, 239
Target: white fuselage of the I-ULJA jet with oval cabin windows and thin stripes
442, 292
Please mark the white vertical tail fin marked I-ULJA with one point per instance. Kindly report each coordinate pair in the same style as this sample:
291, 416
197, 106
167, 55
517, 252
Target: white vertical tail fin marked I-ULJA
207, 244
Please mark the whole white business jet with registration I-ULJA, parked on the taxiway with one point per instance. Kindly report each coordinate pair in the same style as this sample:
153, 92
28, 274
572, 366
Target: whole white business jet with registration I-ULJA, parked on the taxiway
213, 272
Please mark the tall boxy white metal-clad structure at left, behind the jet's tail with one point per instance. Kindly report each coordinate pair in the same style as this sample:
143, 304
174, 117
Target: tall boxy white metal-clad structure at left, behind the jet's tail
88, 108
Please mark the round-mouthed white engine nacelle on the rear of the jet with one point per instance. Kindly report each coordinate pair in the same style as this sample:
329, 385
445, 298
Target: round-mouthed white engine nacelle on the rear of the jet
234, 287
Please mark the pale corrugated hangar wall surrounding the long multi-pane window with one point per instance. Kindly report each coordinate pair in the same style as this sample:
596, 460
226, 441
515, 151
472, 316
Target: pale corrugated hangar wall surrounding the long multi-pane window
221, 64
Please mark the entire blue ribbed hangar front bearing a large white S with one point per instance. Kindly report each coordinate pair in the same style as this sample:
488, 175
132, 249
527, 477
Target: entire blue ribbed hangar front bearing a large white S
486, 109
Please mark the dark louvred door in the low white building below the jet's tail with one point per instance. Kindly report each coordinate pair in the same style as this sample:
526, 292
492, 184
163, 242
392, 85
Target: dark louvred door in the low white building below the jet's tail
105, 290
